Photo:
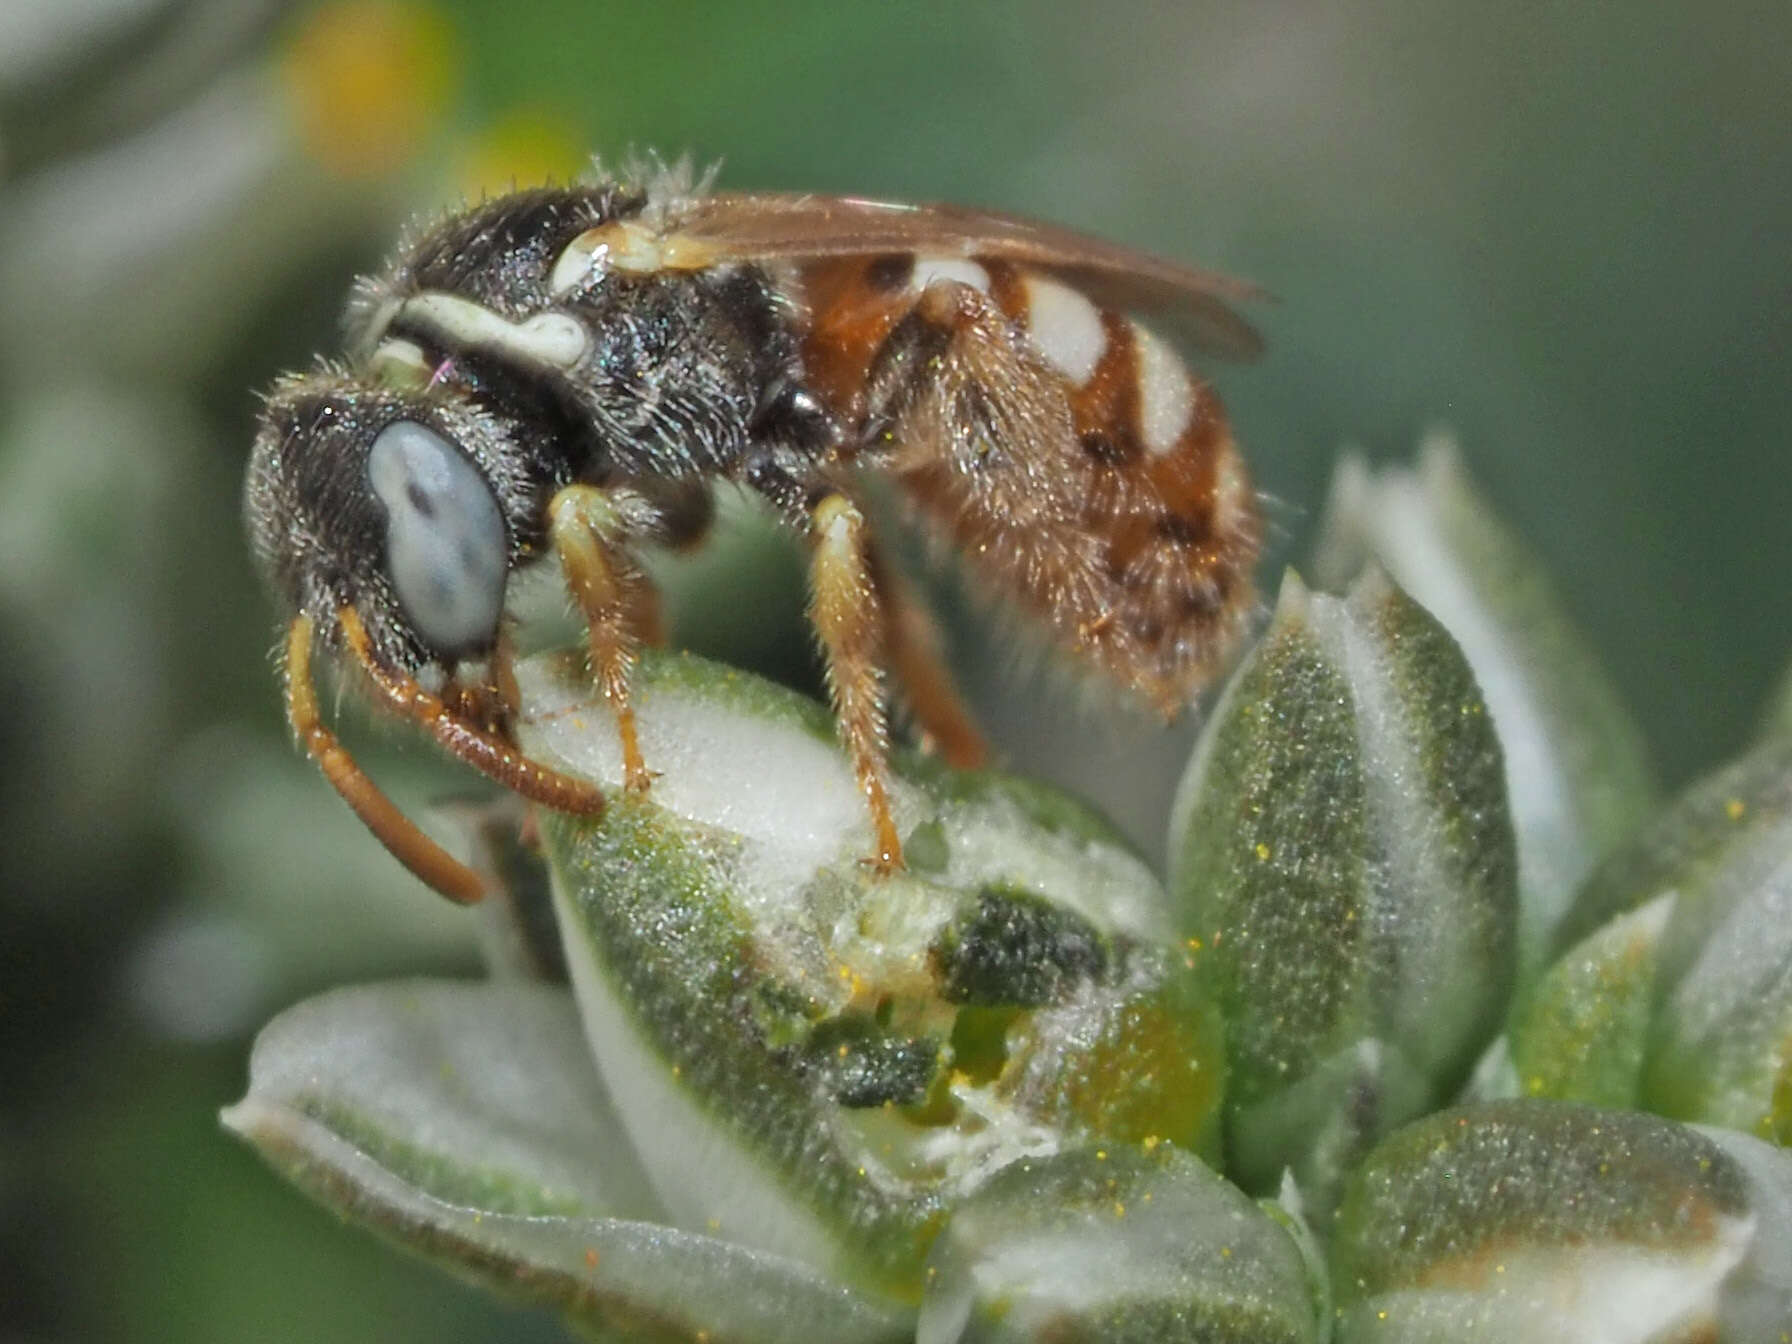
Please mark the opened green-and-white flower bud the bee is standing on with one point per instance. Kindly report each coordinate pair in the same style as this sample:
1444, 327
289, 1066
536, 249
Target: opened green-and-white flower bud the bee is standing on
820, 1062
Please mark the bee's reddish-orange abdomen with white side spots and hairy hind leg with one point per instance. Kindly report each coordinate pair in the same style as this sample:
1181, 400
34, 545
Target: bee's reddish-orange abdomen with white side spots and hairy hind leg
1107, 497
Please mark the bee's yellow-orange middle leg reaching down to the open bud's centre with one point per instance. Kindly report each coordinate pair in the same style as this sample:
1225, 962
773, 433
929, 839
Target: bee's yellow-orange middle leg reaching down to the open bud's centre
847, 614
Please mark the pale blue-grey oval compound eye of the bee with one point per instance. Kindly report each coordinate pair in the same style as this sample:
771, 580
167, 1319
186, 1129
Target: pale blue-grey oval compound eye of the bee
444, 537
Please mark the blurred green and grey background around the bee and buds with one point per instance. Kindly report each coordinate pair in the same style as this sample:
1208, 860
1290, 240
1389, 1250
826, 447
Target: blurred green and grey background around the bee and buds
1562, 230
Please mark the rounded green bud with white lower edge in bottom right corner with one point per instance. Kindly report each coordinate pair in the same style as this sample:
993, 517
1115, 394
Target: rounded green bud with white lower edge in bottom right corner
1521, 1221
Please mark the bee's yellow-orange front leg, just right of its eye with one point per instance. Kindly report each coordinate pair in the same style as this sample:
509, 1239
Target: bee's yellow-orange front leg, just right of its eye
589, 528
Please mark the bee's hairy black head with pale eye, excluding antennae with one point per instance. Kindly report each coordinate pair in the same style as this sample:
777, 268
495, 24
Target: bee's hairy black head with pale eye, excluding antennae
402, 504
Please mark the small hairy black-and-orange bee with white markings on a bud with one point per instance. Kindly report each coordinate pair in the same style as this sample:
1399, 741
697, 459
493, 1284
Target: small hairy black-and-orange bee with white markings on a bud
573, 372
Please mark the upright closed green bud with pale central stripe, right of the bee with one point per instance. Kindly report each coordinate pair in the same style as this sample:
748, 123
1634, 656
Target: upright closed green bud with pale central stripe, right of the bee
1343, 863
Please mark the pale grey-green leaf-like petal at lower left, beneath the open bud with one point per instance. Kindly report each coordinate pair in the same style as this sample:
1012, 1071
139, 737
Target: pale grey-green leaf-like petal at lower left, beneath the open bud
467, 1124
